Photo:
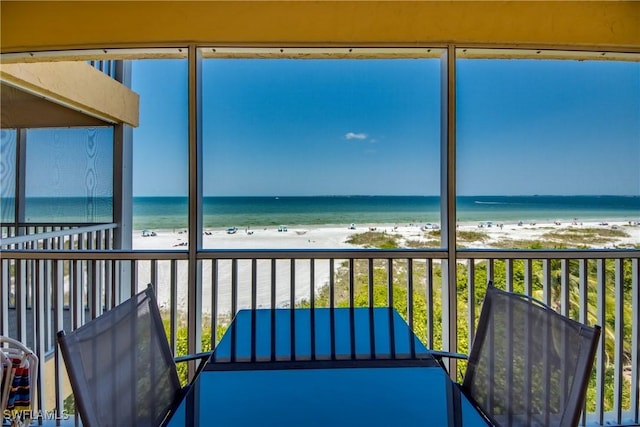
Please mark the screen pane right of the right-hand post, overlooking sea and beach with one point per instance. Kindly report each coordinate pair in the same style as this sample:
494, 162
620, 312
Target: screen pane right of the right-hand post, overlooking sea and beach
548, 153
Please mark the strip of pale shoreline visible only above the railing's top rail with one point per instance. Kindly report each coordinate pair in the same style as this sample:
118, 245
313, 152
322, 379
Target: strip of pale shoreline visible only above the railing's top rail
490, 234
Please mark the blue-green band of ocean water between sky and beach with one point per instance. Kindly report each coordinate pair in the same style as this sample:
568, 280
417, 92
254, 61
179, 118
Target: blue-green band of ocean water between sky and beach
171, 212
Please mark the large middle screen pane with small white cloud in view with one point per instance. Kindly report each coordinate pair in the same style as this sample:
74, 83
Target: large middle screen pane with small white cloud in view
317, 146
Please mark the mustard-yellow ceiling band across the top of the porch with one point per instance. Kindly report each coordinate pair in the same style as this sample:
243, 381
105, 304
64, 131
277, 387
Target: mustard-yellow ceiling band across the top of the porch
55, 25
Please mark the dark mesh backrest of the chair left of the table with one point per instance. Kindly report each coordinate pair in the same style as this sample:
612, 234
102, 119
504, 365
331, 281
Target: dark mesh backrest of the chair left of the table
120, 366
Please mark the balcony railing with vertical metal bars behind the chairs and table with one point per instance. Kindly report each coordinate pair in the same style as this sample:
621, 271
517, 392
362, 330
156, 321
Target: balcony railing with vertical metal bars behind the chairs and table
45, 291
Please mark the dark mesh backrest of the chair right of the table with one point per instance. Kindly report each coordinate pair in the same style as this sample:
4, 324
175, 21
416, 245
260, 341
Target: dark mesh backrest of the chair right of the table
529, 365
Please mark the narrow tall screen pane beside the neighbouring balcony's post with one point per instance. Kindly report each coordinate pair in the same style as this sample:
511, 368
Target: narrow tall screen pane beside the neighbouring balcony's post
160, 154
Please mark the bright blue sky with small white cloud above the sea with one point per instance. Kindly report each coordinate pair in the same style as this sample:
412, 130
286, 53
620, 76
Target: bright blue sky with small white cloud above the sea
315, 127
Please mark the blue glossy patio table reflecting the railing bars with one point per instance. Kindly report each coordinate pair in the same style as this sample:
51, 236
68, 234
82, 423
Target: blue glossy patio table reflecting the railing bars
323, 367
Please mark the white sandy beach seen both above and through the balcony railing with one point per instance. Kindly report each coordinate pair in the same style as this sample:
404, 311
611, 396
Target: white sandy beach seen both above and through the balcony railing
317, 237
